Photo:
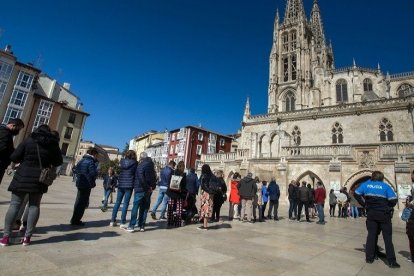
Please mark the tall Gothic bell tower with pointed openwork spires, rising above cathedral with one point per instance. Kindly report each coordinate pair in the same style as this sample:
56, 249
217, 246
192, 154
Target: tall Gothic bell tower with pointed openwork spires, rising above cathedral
298, 49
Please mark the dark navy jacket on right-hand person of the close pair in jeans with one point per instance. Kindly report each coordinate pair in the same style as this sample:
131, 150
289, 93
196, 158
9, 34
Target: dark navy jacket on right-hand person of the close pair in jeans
145, 176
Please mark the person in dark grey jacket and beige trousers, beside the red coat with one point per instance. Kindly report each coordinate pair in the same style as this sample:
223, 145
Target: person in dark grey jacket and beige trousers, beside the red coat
247, 190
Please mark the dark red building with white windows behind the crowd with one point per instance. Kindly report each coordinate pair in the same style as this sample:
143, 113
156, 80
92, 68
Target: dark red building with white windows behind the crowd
188, 143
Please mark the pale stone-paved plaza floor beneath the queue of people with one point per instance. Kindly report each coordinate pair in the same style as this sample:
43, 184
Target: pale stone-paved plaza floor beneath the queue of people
228, 248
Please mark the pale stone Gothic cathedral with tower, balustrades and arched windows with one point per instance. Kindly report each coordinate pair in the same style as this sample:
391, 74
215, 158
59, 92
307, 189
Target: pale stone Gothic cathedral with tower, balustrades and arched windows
334, 125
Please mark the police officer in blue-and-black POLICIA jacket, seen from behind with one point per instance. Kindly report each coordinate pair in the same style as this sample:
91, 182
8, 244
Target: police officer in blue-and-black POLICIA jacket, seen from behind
379, 199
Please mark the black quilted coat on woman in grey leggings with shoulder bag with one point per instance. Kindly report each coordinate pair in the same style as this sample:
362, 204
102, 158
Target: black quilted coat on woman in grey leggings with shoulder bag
26, 178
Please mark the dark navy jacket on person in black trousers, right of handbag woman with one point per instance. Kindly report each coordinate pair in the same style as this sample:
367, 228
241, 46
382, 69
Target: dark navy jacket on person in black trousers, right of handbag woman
86, 172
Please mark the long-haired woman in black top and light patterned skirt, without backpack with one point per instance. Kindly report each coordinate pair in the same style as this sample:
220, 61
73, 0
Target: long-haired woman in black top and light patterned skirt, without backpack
206, 207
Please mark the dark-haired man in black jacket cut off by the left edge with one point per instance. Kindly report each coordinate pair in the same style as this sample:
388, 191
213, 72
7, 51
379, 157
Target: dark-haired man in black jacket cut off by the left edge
12, 128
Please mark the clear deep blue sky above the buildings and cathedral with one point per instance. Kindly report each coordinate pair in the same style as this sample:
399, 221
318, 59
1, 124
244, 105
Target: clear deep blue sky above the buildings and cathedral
161, 64
